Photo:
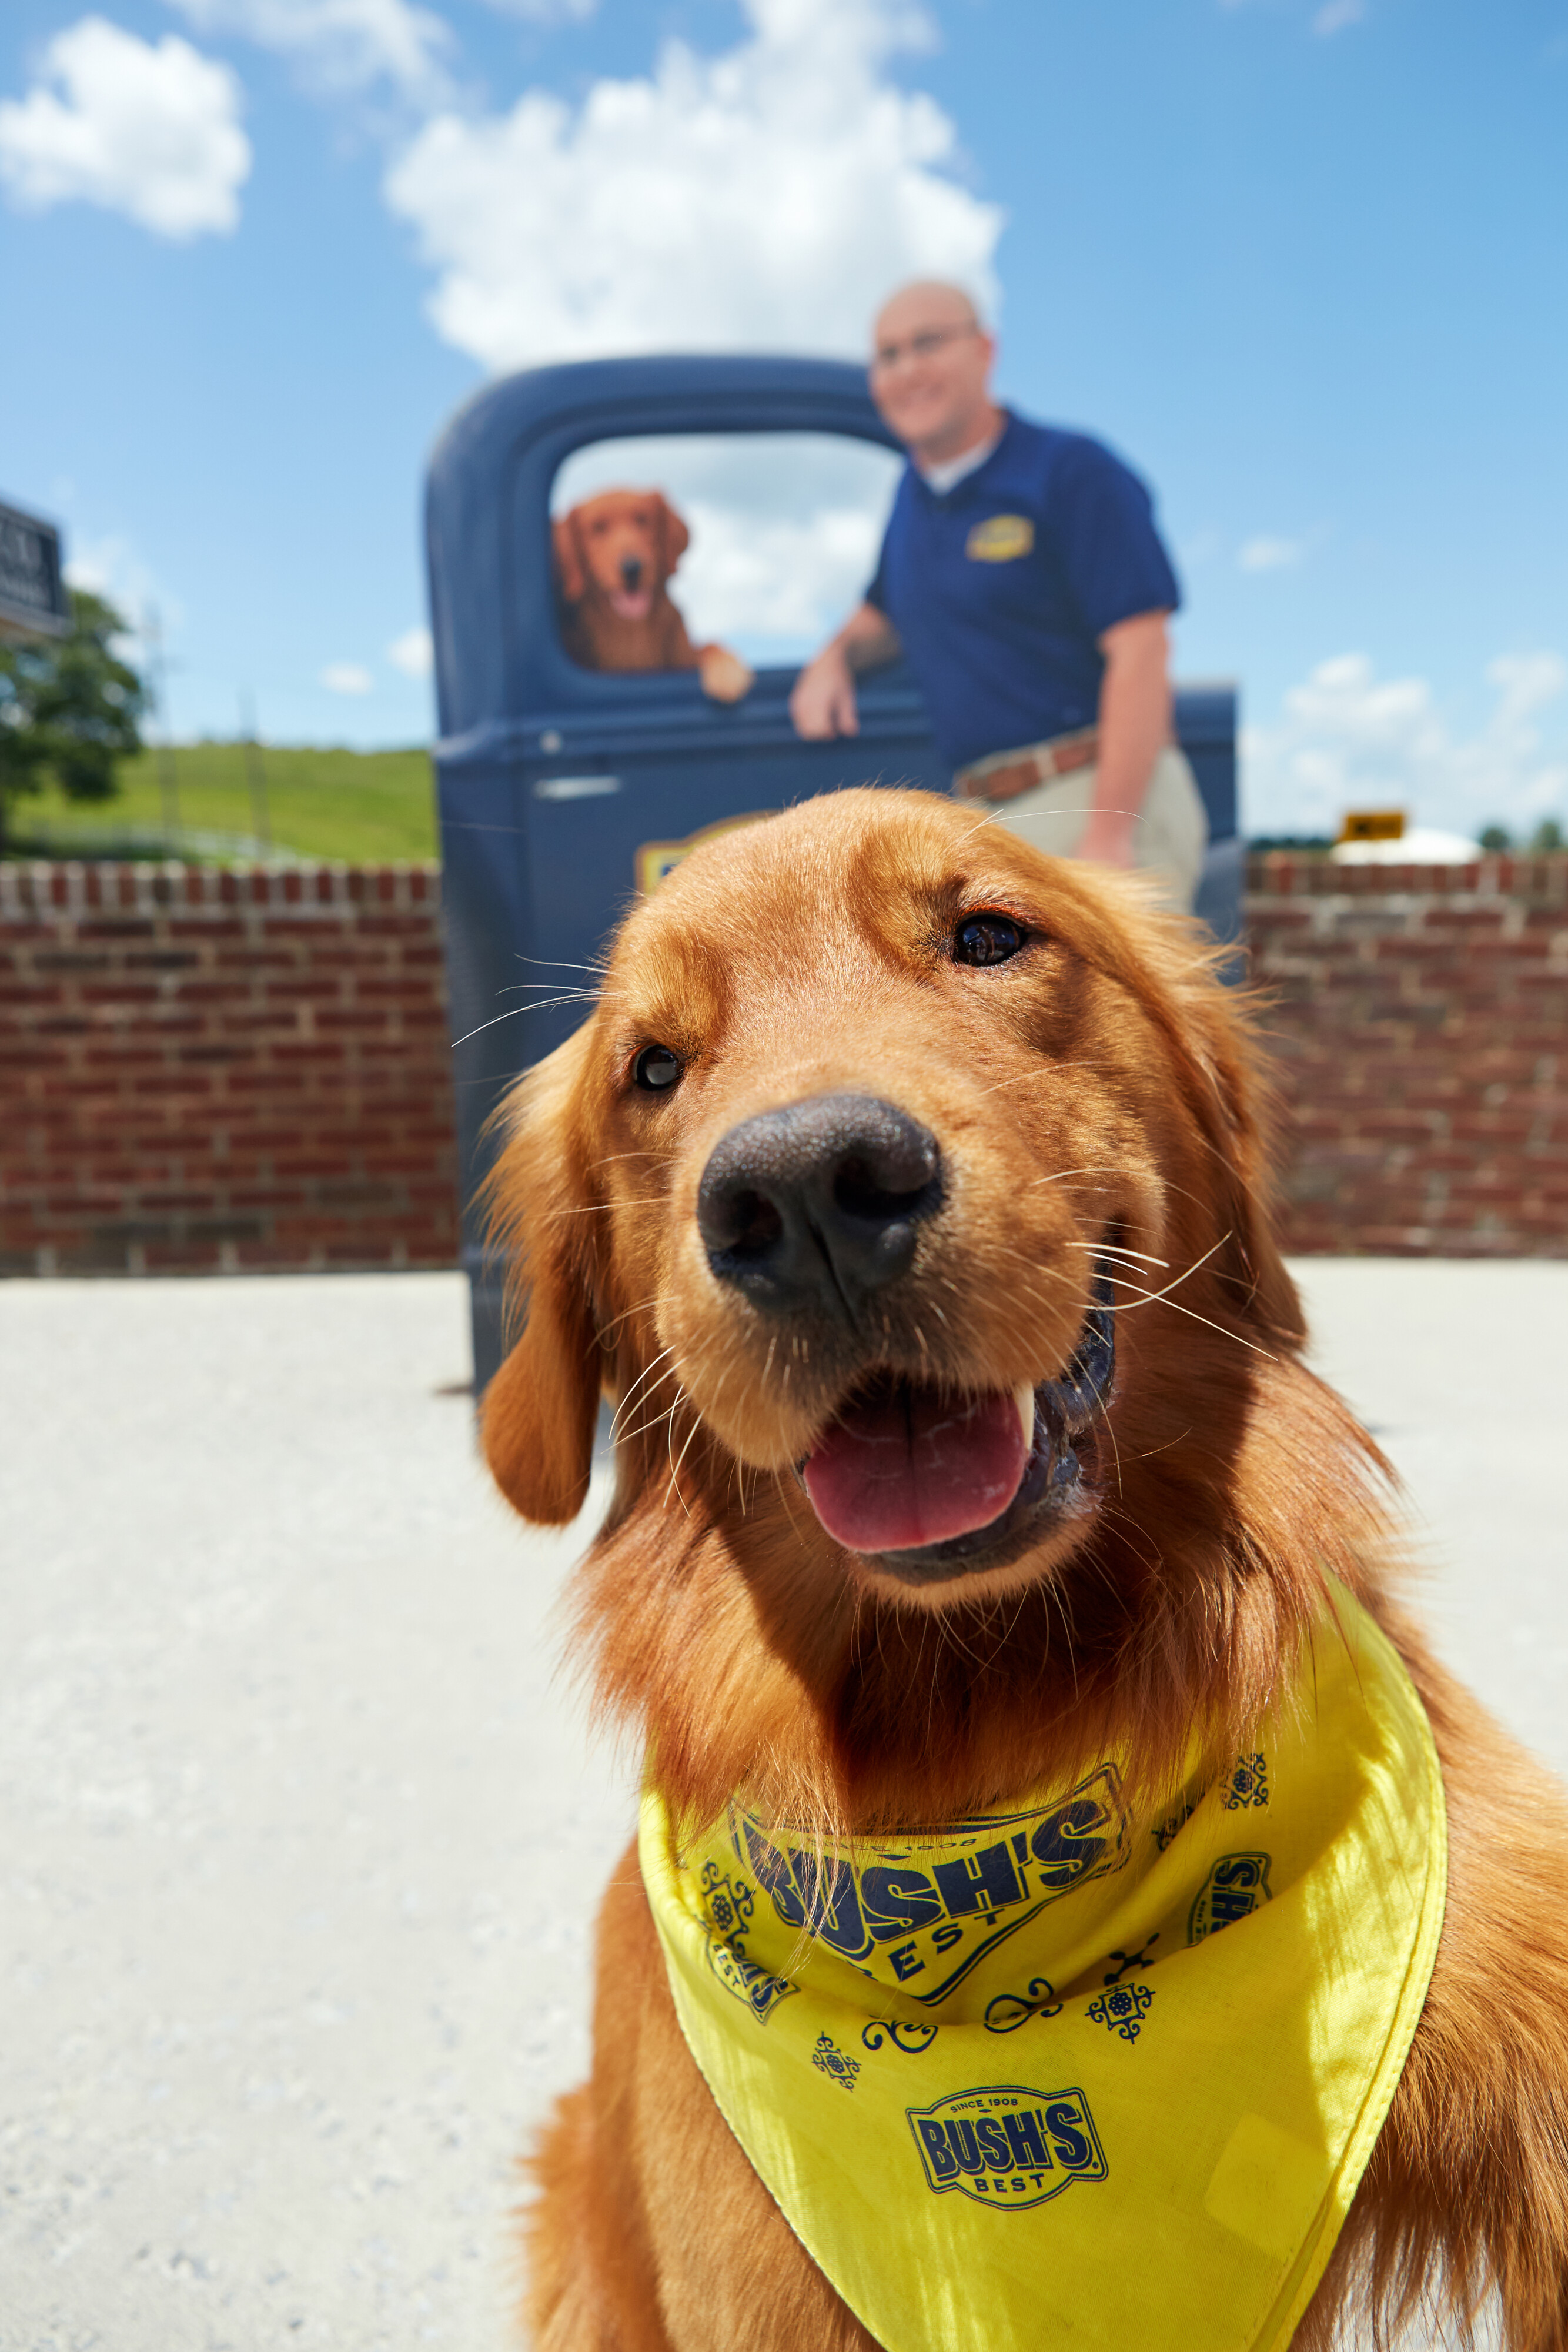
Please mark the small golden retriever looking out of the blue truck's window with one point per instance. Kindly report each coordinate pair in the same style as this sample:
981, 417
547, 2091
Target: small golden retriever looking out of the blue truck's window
612, 561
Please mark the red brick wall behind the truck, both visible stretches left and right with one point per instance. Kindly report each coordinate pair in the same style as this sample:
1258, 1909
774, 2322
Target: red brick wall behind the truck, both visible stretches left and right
250, 1071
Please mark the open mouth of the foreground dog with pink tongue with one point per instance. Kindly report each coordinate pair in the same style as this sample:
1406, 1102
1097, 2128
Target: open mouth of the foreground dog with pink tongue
930, 1483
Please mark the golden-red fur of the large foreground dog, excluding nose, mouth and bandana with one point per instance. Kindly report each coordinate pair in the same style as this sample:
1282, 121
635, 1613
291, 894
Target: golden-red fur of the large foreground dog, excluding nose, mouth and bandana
1099, 1090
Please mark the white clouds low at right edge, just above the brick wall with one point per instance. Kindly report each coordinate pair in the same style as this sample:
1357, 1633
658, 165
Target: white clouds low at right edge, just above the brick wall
1351, 740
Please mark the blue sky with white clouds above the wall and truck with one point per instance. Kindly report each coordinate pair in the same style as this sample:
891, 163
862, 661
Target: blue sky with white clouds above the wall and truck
1301, 260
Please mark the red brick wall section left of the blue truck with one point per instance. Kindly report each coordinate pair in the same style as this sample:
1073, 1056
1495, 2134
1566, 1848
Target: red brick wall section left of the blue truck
222, 1071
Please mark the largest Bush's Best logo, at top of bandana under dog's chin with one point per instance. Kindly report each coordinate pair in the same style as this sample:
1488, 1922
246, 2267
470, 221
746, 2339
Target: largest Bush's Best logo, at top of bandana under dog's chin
920, 1920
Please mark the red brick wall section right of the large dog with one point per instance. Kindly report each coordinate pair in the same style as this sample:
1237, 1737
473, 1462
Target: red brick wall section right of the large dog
1421, 1038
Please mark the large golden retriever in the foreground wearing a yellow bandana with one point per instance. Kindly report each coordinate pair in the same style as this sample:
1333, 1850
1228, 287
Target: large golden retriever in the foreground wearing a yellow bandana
909, 1196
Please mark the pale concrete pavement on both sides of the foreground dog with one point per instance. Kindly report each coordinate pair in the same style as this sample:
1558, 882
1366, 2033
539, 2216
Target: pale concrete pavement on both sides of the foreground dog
302, 1833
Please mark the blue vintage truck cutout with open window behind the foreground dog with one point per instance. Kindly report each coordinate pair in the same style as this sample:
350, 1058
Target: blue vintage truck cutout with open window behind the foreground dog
563, 791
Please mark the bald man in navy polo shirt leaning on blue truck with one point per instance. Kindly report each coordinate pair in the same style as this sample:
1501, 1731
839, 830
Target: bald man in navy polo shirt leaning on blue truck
1024, 580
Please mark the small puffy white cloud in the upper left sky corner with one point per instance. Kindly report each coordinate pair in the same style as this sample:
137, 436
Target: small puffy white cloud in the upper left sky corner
142, 128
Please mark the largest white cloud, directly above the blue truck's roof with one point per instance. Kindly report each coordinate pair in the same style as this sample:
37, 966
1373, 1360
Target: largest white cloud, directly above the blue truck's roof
763, 199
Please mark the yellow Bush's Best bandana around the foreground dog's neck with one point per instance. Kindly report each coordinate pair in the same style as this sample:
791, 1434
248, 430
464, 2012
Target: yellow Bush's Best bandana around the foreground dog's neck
1071, 2076
